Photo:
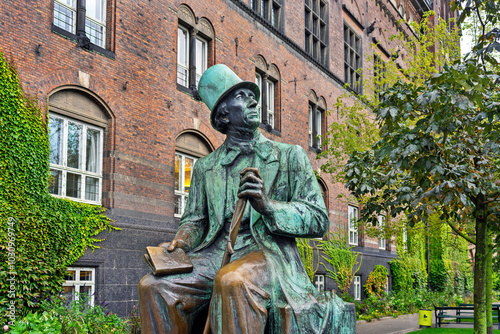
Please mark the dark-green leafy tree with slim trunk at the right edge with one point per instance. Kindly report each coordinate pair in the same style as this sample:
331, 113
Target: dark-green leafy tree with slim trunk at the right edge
439, 149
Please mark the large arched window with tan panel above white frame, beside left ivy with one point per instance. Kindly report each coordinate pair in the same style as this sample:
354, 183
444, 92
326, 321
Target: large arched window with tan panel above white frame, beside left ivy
77, 123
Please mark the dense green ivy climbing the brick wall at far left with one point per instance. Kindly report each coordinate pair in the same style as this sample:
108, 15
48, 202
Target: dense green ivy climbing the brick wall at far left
40, 235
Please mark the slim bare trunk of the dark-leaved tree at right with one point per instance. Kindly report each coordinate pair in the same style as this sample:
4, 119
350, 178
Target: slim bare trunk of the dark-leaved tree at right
480, 267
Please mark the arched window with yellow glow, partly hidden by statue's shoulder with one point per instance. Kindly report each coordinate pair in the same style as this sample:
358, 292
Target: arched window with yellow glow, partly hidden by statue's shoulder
189, 147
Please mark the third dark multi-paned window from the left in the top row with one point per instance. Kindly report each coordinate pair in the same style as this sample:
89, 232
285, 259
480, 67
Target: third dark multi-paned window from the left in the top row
352, 59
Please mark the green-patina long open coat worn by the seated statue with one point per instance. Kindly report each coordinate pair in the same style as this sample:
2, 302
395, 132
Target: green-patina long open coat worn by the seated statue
300, 212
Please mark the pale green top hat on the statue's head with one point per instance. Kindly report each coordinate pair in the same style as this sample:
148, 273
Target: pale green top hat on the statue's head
219, 81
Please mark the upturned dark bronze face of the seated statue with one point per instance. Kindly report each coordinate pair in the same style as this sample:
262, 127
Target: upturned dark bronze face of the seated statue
243, 109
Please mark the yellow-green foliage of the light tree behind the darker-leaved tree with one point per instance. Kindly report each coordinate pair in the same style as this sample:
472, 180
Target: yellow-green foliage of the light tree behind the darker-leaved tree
359, 129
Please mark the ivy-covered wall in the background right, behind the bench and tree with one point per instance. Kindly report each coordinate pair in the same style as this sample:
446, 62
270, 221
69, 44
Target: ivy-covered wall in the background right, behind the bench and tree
450, 267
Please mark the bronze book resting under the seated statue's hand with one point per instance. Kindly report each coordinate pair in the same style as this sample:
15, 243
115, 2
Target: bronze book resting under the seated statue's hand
163, 262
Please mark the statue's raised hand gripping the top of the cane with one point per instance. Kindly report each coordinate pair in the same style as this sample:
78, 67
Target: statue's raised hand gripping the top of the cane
252, 187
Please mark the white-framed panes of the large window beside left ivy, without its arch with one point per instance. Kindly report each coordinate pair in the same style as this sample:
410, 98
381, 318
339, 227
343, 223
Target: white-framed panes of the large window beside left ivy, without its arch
75, 159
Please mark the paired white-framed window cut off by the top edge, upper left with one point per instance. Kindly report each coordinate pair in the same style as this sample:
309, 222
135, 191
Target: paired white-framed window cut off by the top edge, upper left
66, 13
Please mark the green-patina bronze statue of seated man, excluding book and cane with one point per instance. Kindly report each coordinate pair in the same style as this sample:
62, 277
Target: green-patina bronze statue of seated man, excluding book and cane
265, 288
